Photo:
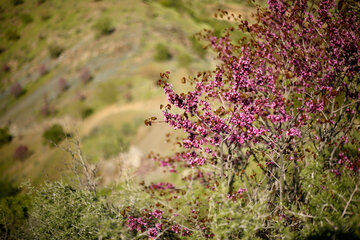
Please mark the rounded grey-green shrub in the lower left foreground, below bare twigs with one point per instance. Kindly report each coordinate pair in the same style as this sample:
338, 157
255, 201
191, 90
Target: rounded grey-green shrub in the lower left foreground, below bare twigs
60, 211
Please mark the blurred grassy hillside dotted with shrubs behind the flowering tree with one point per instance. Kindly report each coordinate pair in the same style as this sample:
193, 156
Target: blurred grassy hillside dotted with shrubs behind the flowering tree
88, 69
